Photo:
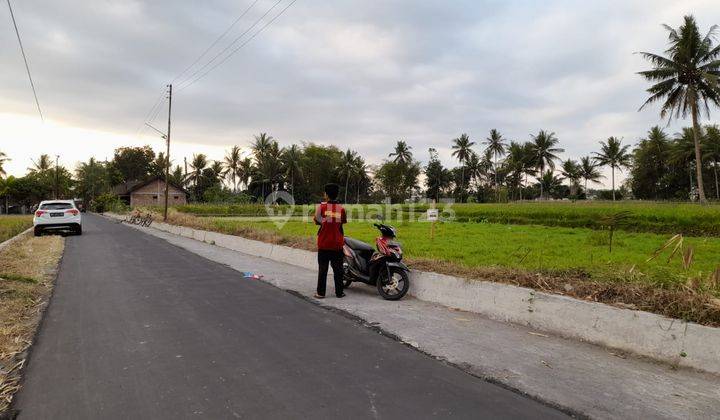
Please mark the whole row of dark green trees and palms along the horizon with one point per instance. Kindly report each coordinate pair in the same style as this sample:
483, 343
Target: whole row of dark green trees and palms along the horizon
685, 80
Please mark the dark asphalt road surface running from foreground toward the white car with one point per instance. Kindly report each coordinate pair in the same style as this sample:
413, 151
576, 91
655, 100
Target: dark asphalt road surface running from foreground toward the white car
139, 328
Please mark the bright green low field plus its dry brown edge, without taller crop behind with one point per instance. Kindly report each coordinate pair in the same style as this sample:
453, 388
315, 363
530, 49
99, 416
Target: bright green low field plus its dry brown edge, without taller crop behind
568, 261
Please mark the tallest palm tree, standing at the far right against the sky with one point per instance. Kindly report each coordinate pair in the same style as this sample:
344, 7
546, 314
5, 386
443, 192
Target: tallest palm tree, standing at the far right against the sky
686, 80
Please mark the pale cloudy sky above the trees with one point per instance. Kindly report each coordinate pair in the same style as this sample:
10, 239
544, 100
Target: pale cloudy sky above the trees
356, 74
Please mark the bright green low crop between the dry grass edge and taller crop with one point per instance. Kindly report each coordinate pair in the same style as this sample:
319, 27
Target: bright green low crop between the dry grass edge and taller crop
532, 248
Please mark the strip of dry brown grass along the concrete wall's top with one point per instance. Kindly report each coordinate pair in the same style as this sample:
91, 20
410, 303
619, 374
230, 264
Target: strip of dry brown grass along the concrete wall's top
691, 301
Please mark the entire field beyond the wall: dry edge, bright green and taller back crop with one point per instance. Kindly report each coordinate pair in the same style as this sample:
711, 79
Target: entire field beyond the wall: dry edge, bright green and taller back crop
531, 247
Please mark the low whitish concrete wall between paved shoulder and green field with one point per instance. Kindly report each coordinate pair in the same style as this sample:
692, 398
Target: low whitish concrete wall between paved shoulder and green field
643, 333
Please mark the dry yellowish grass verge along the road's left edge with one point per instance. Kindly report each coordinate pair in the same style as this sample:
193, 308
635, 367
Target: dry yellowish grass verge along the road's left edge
27, 271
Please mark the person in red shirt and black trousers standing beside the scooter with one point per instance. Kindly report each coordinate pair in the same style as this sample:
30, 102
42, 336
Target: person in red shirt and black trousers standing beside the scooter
330, 216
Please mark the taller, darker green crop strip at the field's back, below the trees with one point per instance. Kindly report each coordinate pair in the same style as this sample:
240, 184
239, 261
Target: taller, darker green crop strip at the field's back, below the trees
688, 219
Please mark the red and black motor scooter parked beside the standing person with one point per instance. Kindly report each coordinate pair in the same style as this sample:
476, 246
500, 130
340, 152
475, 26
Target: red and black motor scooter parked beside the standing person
383, 268
